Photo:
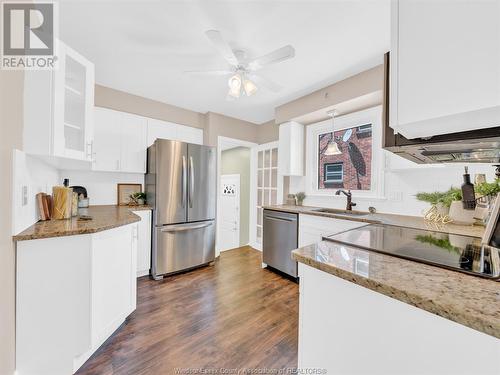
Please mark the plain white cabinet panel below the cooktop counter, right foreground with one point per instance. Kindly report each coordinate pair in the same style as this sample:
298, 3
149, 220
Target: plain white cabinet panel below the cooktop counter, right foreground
345, 328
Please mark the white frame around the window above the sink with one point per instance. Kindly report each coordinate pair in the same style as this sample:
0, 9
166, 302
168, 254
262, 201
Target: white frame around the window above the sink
371, 116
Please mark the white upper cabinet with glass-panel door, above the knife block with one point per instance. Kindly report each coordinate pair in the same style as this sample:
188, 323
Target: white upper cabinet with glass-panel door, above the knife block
58, 108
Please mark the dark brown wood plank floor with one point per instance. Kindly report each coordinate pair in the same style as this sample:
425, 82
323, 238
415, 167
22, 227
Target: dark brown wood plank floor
231, 315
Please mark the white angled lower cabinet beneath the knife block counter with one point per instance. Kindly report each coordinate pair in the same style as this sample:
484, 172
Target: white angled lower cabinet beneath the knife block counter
72, 293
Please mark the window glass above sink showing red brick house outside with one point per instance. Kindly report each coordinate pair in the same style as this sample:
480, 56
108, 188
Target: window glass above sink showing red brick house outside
352, 168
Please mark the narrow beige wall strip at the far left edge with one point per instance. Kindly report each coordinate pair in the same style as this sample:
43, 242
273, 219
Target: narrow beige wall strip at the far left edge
11, 125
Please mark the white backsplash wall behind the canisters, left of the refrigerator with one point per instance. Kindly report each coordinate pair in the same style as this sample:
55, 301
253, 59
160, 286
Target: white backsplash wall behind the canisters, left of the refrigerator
101, 186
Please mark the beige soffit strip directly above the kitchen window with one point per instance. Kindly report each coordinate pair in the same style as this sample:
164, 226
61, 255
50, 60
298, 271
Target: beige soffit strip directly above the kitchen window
350, 89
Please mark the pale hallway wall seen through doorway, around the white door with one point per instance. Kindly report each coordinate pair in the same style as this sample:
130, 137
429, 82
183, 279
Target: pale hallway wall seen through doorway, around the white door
237, 161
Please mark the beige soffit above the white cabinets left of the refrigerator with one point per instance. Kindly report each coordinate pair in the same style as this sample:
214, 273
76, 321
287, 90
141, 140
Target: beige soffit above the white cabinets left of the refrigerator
122, 101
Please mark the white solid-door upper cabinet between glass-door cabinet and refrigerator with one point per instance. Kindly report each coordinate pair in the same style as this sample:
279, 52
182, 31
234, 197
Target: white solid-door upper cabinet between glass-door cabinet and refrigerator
120, 142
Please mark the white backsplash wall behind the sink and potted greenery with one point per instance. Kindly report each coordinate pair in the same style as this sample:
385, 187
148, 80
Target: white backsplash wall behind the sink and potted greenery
400, 187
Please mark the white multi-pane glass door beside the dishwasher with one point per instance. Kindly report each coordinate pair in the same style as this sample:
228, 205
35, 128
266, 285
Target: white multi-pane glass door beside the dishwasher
267, 183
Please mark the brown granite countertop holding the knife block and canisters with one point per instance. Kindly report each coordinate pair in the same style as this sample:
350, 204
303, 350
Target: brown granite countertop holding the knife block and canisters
103, 218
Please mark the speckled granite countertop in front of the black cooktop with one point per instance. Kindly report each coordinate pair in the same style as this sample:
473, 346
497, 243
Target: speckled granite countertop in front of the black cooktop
469, 300
